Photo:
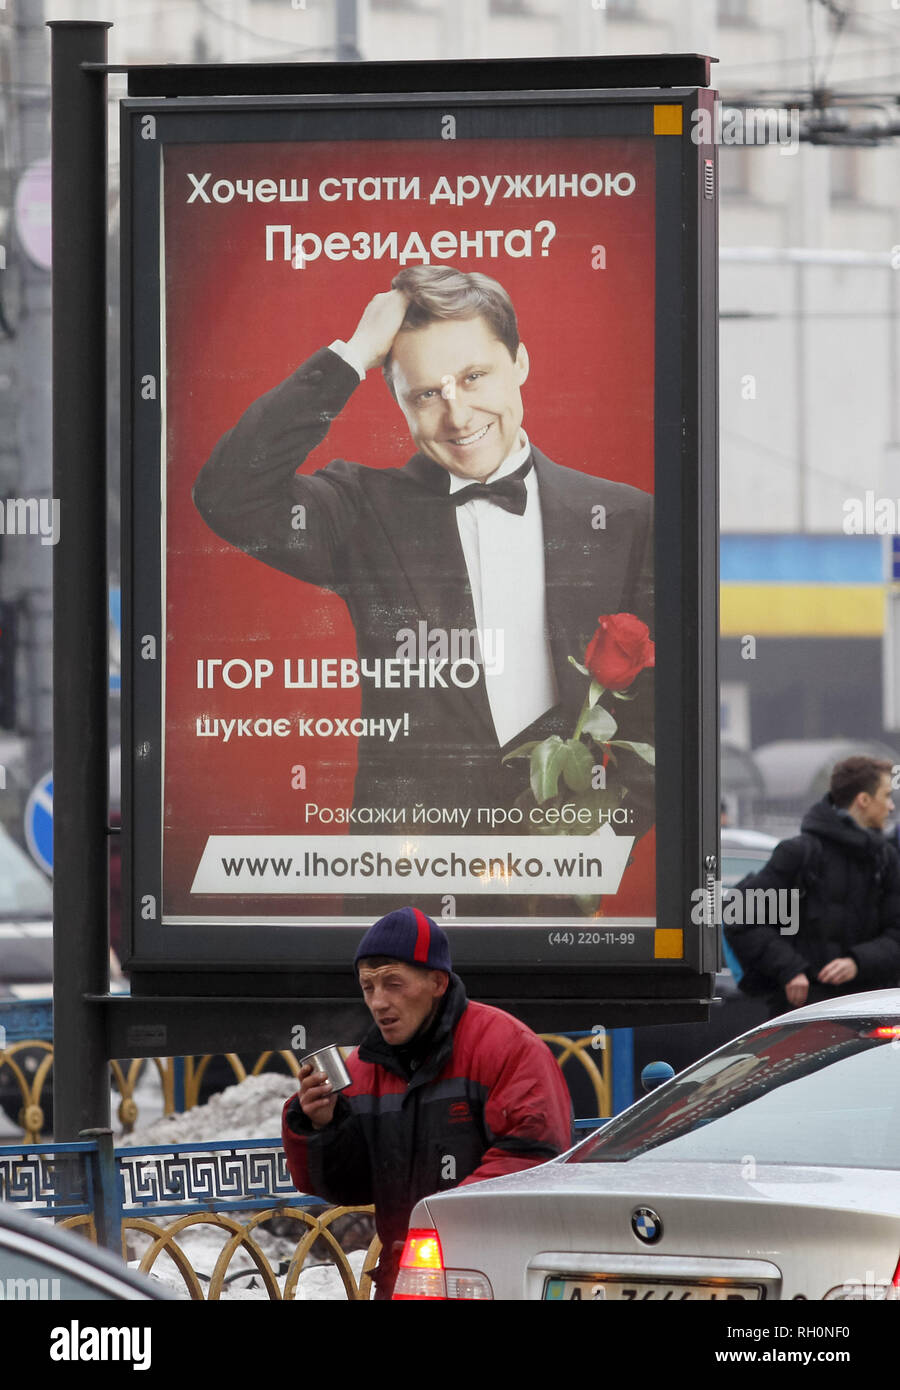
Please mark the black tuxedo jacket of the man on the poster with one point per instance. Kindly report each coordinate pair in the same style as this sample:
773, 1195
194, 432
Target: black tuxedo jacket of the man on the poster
386, 541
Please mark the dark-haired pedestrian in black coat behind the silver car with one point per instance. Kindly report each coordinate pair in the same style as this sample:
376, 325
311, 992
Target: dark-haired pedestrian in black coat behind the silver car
846, 935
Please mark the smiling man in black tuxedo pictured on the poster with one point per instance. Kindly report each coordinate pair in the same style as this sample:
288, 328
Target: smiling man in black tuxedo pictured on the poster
481, 546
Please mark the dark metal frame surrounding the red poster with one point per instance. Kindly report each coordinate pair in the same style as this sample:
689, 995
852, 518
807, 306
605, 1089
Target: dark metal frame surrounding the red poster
219, 960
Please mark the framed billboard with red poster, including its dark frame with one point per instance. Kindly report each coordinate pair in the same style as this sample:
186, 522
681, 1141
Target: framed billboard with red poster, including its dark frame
408, 382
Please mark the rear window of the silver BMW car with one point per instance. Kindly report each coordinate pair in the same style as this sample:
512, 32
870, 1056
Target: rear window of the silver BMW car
819, 1093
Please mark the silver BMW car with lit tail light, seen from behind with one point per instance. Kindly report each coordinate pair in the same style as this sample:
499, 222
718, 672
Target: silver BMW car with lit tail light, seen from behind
770, 1170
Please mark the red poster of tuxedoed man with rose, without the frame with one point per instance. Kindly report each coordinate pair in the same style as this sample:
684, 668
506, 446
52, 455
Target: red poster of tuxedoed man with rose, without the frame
408, 530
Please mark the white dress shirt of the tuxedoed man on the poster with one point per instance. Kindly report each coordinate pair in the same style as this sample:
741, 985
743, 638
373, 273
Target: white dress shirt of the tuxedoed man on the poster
506, 564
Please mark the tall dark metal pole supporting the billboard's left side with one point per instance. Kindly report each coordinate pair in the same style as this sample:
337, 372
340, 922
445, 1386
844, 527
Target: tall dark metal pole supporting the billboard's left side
80, 579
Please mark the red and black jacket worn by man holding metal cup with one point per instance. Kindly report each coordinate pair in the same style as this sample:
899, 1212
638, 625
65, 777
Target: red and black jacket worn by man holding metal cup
488, 1099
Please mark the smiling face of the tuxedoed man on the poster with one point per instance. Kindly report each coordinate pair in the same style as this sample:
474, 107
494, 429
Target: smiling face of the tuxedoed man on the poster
460, 390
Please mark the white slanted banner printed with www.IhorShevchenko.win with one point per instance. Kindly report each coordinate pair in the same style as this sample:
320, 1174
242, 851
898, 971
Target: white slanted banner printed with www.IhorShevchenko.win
426, 864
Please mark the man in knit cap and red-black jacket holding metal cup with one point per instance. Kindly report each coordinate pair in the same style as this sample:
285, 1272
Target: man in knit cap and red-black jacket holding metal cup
444, 1092
